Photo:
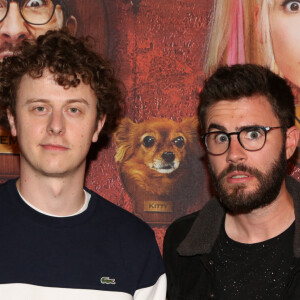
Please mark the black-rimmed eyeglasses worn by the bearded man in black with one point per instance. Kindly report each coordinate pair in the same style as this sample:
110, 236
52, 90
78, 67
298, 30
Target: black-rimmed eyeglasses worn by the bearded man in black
251, 138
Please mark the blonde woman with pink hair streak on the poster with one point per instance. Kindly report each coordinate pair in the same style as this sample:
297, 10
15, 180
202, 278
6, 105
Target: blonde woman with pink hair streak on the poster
263, 32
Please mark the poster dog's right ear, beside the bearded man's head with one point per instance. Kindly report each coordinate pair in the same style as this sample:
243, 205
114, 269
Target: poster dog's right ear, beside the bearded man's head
190, 127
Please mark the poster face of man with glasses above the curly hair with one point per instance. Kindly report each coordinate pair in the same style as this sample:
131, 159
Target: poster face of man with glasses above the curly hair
25, 19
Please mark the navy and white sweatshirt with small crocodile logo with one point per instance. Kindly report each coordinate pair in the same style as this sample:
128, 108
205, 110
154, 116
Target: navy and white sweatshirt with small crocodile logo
103, 253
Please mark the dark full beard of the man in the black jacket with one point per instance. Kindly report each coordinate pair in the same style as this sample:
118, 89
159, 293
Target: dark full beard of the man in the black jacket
237, 200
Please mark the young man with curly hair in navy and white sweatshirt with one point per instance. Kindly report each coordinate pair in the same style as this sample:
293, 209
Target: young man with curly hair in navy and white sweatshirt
59, 239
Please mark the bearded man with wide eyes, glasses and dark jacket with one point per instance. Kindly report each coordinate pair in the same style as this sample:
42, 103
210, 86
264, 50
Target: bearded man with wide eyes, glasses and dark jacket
245, 242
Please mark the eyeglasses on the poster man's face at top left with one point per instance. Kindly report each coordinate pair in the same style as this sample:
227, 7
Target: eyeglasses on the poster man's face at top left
35, 12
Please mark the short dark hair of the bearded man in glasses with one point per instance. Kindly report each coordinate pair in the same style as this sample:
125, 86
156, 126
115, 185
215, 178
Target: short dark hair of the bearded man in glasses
238, 81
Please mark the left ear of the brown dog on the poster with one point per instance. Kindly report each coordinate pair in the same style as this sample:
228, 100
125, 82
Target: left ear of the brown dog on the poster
121, 138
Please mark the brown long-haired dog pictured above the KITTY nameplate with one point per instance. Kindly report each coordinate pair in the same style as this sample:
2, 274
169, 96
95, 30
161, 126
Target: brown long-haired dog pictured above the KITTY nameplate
159, 159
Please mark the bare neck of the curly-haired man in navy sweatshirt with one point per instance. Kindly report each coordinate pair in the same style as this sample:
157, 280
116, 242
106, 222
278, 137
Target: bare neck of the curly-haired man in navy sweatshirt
59, 196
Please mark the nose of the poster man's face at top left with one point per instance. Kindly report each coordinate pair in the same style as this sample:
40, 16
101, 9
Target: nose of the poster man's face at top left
13, 28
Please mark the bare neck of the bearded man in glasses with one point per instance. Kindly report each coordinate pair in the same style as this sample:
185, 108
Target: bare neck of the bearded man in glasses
263, 223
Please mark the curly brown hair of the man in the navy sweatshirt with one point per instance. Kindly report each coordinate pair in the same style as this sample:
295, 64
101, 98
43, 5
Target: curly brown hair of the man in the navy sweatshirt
71, 61
